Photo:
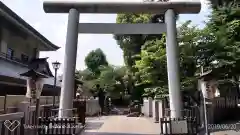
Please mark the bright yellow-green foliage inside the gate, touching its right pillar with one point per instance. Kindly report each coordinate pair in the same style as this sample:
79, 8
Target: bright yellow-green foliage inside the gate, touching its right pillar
152, 65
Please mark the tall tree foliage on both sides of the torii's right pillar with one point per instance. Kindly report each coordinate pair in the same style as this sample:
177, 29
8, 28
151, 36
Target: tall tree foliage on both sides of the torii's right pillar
215, 46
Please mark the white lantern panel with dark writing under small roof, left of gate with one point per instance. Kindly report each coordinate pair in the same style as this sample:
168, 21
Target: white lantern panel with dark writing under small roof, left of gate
34, 88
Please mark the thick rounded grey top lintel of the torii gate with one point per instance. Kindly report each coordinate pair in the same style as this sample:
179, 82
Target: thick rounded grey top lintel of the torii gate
118, 6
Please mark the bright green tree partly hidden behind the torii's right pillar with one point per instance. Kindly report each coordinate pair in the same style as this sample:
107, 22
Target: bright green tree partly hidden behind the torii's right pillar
152, 66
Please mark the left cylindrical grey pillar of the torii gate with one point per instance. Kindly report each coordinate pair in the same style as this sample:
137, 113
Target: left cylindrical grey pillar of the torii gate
67, 90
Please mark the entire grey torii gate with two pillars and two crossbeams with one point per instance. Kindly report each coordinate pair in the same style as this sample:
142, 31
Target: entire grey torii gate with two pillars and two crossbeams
74, 8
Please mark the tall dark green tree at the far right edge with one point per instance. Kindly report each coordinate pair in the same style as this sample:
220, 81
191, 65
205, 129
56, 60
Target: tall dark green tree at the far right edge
224, 46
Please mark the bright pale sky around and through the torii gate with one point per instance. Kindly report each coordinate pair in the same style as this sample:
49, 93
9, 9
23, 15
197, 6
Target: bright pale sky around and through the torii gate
53, 27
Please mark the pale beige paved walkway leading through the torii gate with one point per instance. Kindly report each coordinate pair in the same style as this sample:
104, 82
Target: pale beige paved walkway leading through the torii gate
121, 125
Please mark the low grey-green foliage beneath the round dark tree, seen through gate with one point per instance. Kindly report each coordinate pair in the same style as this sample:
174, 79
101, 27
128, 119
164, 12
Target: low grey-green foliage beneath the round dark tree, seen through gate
110, 78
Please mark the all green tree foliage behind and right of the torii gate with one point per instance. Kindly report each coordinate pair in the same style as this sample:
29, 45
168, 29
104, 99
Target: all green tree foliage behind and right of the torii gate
215, 47
